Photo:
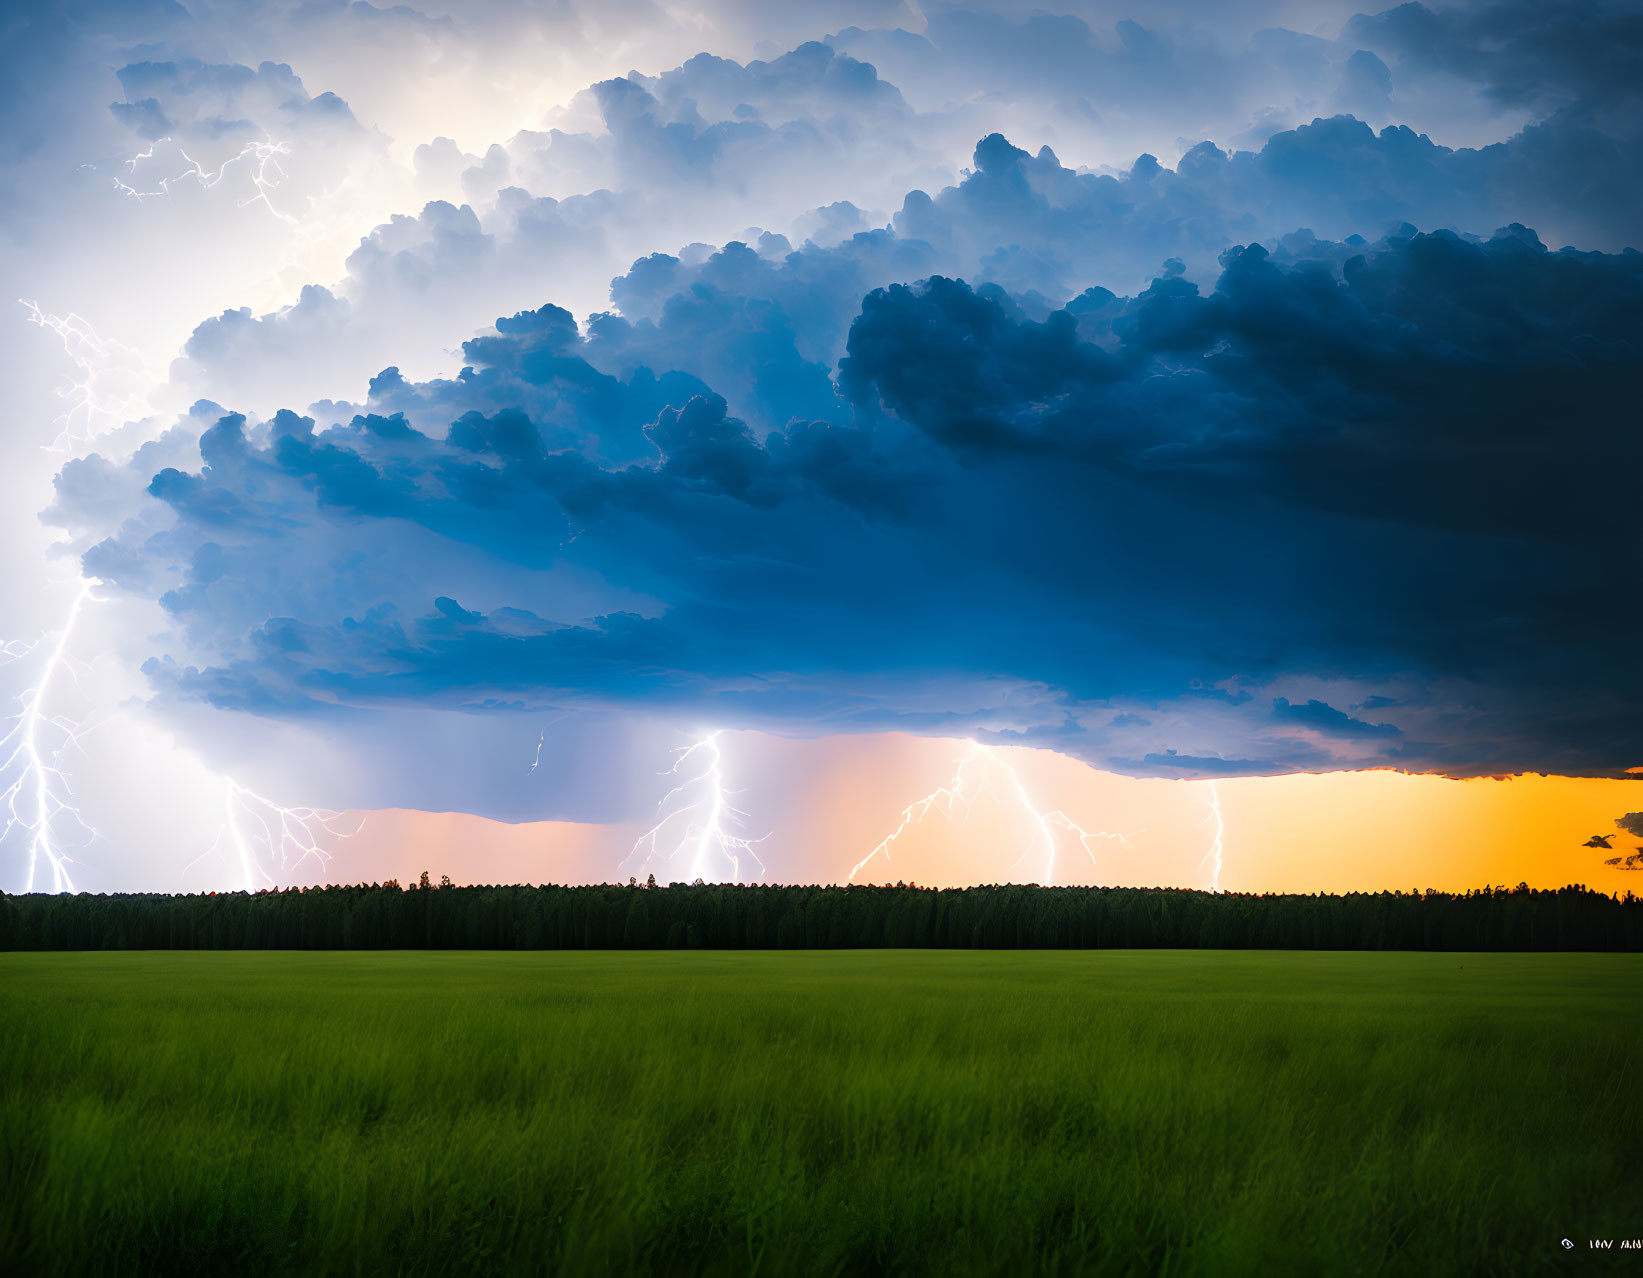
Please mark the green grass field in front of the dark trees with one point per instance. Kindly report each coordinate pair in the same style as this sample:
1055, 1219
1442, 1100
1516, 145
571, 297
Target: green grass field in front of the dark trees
1200, 1113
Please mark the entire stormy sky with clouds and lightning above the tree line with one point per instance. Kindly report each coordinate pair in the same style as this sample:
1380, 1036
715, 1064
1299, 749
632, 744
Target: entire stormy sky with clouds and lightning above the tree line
962, 443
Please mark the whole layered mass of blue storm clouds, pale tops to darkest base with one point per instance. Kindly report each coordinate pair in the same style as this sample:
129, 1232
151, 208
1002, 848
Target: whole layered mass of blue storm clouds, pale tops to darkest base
1105, 482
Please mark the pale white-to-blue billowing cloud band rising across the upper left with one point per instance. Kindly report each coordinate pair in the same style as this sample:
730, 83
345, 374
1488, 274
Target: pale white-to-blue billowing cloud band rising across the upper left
556, 216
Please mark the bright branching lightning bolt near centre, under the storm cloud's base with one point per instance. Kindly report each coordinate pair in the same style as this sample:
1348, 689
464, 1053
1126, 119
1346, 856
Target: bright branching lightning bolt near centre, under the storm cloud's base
697, 825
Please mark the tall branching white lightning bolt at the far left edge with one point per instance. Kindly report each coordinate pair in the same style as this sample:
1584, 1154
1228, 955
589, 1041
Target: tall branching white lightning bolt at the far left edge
40, 799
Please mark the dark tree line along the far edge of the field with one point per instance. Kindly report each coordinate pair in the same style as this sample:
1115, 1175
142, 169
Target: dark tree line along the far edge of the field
757, 917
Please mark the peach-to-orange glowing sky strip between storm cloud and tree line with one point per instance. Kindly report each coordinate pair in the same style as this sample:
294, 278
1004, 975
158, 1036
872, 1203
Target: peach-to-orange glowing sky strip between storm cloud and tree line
827, 802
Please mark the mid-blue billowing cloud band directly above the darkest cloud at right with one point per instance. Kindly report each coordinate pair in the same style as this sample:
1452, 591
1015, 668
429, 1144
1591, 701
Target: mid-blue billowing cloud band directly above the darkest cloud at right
1335, 177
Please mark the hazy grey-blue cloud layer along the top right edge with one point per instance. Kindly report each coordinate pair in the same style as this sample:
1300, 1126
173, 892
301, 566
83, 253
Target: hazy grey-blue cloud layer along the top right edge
1455, 73
